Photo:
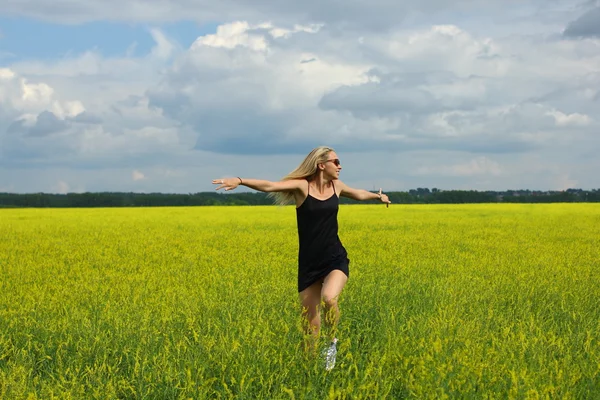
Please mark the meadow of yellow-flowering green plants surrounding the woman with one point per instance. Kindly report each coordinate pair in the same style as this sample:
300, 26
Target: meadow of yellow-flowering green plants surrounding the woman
444, 301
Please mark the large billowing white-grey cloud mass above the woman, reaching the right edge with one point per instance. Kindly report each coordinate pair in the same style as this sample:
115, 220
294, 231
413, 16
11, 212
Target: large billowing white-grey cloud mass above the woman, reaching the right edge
246, 91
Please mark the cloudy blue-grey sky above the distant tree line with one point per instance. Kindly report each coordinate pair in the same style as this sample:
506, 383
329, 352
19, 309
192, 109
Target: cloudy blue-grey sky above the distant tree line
164, 96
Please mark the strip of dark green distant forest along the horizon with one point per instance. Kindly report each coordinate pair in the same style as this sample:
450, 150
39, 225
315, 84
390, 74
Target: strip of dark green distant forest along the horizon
413, 196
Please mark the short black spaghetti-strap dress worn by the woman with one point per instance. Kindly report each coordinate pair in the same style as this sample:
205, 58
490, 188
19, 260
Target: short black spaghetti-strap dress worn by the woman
320, 250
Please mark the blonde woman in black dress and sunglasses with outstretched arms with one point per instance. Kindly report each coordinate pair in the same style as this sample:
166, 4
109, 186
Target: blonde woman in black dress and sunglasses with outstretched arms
314, 187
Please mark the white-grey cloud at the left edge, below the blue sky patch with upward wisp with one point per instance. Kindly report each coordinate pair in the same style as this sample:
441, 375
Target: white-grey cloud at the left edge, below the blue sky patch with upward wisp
85, 111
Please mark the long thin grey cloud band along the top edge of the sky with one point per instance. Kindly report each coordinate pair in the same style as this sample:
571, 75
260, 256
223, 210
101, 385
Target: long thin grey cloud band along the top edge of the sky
353, 15
